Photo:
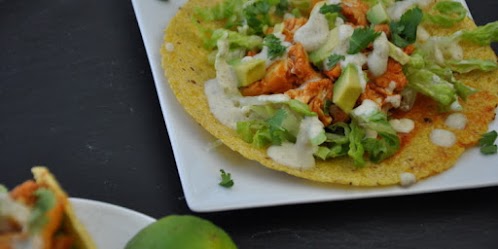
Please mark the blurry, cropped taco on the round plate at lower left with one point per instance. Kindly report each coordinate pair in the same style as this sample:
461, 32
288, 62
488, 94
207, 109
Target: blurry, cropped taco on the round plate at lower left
37, 214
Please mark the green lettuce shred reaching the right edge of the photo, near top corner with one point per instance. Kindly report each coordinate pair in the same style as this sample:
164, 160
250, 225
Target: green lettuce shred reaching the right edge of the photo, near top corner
483, 35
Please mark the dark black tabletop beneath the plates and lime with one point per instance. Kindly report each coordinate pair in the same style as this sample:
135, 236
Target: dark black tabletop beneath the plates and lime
77, 95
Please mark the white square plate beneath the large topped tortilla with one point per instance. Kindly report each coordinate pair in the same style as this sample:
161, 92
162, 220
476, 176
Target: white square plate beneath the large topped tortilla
255, 185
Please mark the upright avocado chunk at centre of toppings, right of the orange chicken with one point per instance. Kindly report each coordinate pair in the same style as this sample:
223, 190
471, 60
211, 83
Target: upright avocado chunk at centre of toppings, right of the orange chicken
347, 88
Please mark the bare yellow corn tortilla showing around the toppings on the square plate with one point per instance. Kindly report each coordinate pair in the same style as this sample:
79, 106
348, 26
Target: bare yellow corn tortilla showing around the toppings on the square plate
185, 64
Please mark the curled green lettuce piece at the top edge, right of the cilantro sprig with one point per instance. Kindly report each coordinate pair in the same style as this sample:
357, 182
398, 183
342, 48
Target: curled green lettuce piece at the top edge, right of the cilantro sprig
447, 13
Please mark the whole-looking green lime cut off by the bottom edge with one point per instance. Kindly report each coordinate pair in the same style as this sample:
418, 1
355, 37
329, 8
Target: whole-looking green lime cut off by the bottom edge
181, 231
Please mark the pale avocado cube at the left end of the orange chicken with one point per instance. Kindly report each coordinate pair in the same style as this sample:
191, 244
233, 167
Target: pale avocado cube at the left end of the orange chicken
249, 71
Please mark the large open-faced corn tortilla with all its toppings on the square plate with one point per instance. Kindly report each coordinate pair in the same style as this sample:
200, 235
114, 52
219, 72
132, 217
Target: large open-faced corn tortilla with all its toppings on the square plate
339, 83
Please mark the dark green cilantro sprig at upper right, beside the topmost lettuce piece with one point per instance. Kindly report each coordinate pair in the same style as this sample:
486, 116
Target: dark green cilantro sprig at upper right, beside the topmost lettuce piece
404, 32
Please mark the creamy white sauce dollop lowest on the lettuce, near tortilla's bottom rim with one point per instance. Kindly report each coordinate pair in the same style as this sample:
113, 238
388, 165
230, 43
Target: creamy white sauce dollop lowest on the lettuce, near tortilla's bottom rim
300, 154
